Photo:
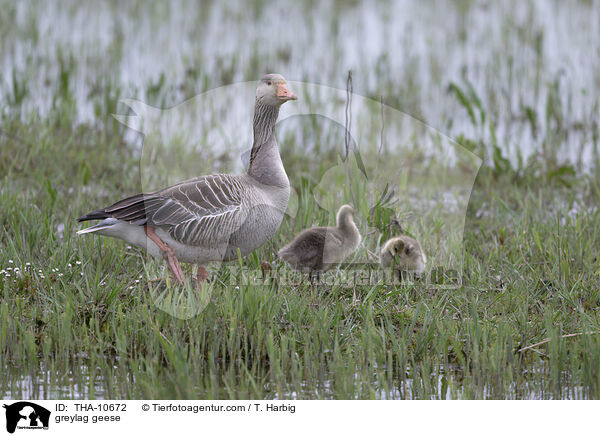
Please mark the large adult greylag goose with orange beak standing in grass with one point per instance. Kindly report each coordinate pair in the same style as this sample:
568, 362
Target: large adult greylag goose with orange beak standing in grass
210, 218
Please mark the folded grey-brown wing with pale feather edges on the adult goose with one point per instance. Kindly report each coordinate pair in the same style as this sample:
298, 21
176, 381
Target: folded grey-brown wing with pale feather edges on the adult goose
201, 211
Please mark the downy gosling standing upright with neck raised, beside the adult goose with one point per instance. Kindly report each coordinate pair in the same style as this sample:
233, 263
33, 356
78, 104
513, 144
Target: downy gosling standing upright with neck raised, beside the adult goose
319, 248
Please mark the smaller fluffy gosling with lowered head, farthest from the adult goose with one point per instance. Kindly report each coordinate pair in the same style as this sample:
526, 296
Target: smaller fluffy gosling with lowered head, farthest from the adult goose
405, 253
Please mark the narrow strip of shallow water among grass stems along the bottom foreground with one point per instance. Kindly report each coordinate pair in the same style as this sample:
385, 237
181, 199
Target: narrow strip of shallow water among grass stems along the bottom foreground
54, 385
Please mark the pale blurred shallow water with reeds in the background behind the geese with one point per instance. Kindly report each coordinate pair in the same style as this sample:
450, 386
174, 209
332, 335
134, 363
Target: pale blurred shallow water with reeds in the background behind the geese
517, 55
